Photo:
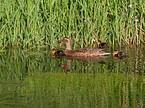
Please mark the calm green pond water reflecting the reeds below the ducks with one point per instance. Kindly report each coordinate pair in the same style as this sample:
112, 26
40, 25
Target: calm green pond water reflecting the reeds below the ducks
35, 79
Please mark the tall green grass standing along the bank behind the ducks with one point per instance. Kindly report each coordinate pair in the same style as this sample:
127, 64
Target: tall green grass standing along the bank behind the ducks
43, 22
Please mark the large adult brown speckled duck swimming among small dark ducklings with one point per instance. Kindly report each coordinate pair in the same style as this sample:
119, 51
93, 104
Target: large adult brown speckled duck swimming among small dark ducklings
82, 52
